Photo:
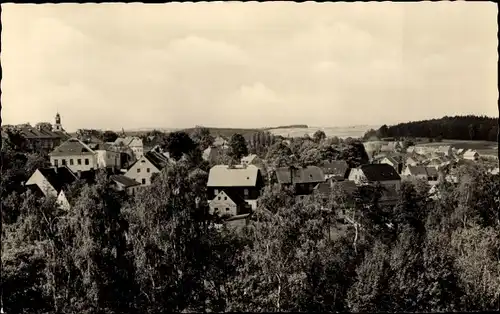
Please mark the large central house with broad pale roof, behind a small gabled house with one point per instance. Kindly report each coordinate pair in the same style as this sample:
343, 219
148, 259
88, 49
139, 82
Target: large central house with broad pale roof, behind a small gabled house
242, 180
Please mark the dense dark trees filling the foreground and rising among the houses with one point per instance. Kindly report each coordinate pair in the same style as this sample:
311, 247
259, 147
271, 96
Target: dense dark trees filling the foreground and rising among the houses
160, 251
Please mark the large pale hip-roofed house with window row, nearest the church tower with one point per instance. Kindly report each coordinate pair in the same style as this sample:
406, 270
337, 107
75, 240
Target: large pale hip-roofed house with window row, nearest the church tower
78, 156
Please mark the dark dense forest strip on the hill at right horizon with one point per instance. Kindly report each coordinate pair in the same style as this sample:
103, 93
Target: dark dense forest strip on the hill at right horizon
470, 127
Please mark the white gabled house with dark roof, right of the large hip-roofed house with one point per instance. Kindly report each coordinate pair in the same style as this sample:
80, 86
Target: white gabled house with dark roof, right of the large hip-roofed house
144, 168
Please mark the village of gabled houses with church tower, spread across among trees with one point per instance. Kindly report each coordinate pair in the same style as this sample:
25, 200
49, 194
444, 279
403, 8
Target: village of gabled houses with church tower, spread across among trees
233, 190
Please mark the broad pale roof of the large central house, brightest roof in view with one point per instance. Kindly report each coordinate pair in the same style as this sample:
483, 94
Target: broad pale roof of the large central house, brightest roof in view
225, 176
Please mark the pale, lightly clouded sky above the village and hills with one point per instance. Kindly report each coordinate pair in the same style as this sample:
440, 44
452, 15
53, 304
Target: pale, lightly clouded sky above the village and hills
230, 64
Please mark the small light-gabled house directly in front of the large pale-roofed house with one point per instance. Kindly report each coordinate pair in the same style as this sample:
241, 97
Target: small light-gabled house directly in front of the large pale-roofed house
229, 203
